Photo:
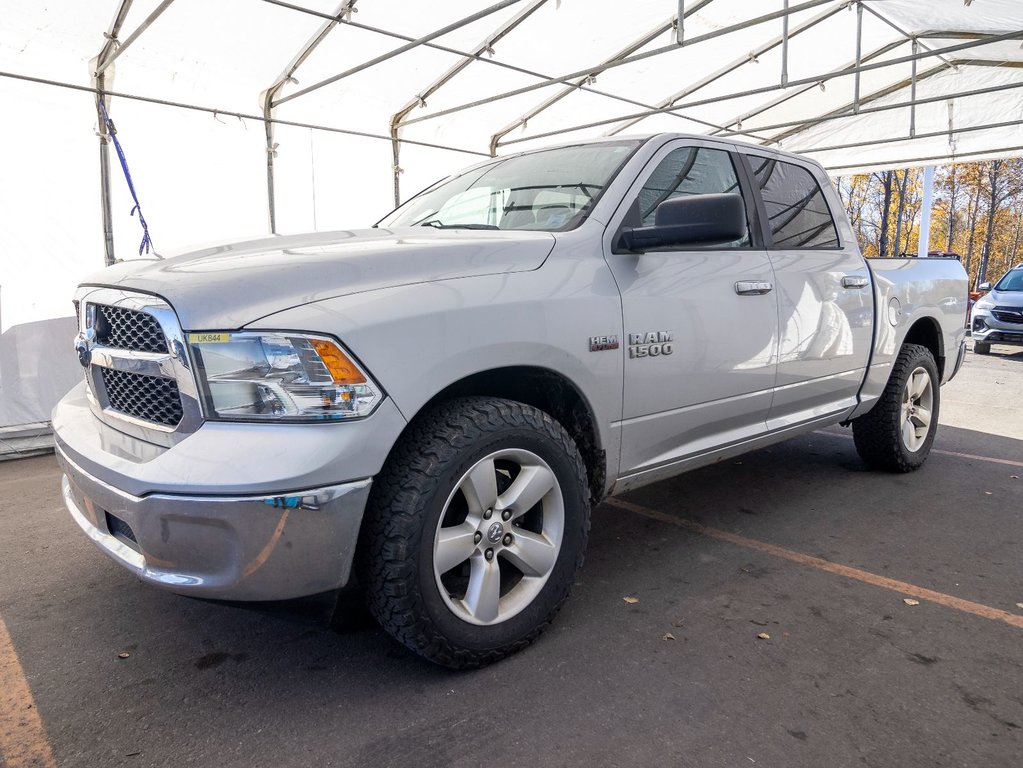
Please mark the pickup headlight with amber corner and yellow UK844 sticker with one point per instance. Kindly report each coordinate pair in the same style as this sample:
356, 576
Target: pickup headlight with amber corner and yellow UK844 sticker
281, 377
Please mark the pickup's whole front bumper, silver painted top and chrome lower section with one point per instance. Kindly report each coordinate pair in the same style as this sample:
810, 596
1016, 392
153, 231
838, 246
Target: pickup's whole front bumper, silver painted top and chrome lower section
233, 512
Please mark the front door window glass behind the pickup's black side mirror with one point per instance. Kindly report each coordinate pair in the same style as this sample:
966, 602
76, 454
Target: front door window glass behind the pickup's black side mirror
690, 171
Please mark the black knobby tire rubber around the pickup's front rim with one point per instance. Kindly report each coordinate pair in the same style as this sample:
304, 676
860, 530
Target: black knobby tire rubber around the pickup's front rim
397, 519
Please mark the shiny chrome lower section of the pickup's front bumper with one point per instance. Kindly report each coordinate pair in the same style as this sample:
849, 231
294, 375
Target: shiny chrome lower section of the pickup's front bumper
228, 548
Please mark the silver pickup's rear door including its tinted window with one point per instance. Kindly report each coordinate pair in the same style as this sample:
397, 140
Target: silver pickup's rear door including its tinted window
825, 302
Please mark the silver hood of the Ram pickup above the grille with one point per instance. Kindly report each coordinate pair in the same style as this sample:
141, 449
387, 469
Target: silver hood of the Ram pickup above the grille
231, 286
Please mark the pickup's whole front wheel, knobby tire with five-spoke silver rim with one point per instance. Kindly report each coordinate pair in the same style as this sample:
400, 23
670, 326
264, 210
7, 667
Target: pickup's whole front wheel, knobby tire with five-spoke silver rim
475, 532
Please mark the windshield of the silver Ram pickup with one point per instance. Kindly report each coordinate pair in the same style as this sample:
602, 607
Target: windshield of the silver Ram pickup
550, 191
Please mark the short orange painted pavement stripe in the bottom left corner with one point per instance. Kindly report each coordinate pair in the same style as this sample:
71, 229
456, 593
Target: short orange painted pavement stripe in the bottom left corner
23, 739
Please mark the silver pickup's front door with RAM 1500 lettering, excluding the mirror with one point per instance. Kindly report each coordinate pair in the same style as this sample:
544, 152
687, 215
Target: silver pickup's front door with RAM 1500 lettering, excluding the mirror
701, 324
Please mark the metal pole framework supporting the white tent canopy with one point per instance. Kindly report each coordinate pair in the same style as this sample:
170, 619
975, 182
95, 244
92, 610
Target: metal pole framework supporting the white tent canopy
625, 111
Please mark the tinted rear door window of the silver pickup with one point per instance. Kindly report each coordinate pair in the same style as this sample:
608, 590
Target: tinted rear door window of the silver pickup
796, 209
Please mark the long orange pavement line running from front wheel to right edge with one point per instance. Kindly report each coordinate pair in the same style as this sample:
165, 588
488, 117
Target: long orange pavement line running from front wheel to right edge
911, 591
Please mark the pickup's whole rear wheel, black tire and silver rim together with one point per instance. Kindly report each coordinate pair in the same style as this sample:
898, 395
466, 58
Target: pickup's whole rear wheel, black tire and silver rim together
897, 434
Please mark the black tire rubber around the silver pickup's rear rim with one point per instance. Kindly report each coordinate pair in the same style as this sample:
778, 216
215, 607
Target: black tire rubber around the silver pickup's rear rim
878, 434
